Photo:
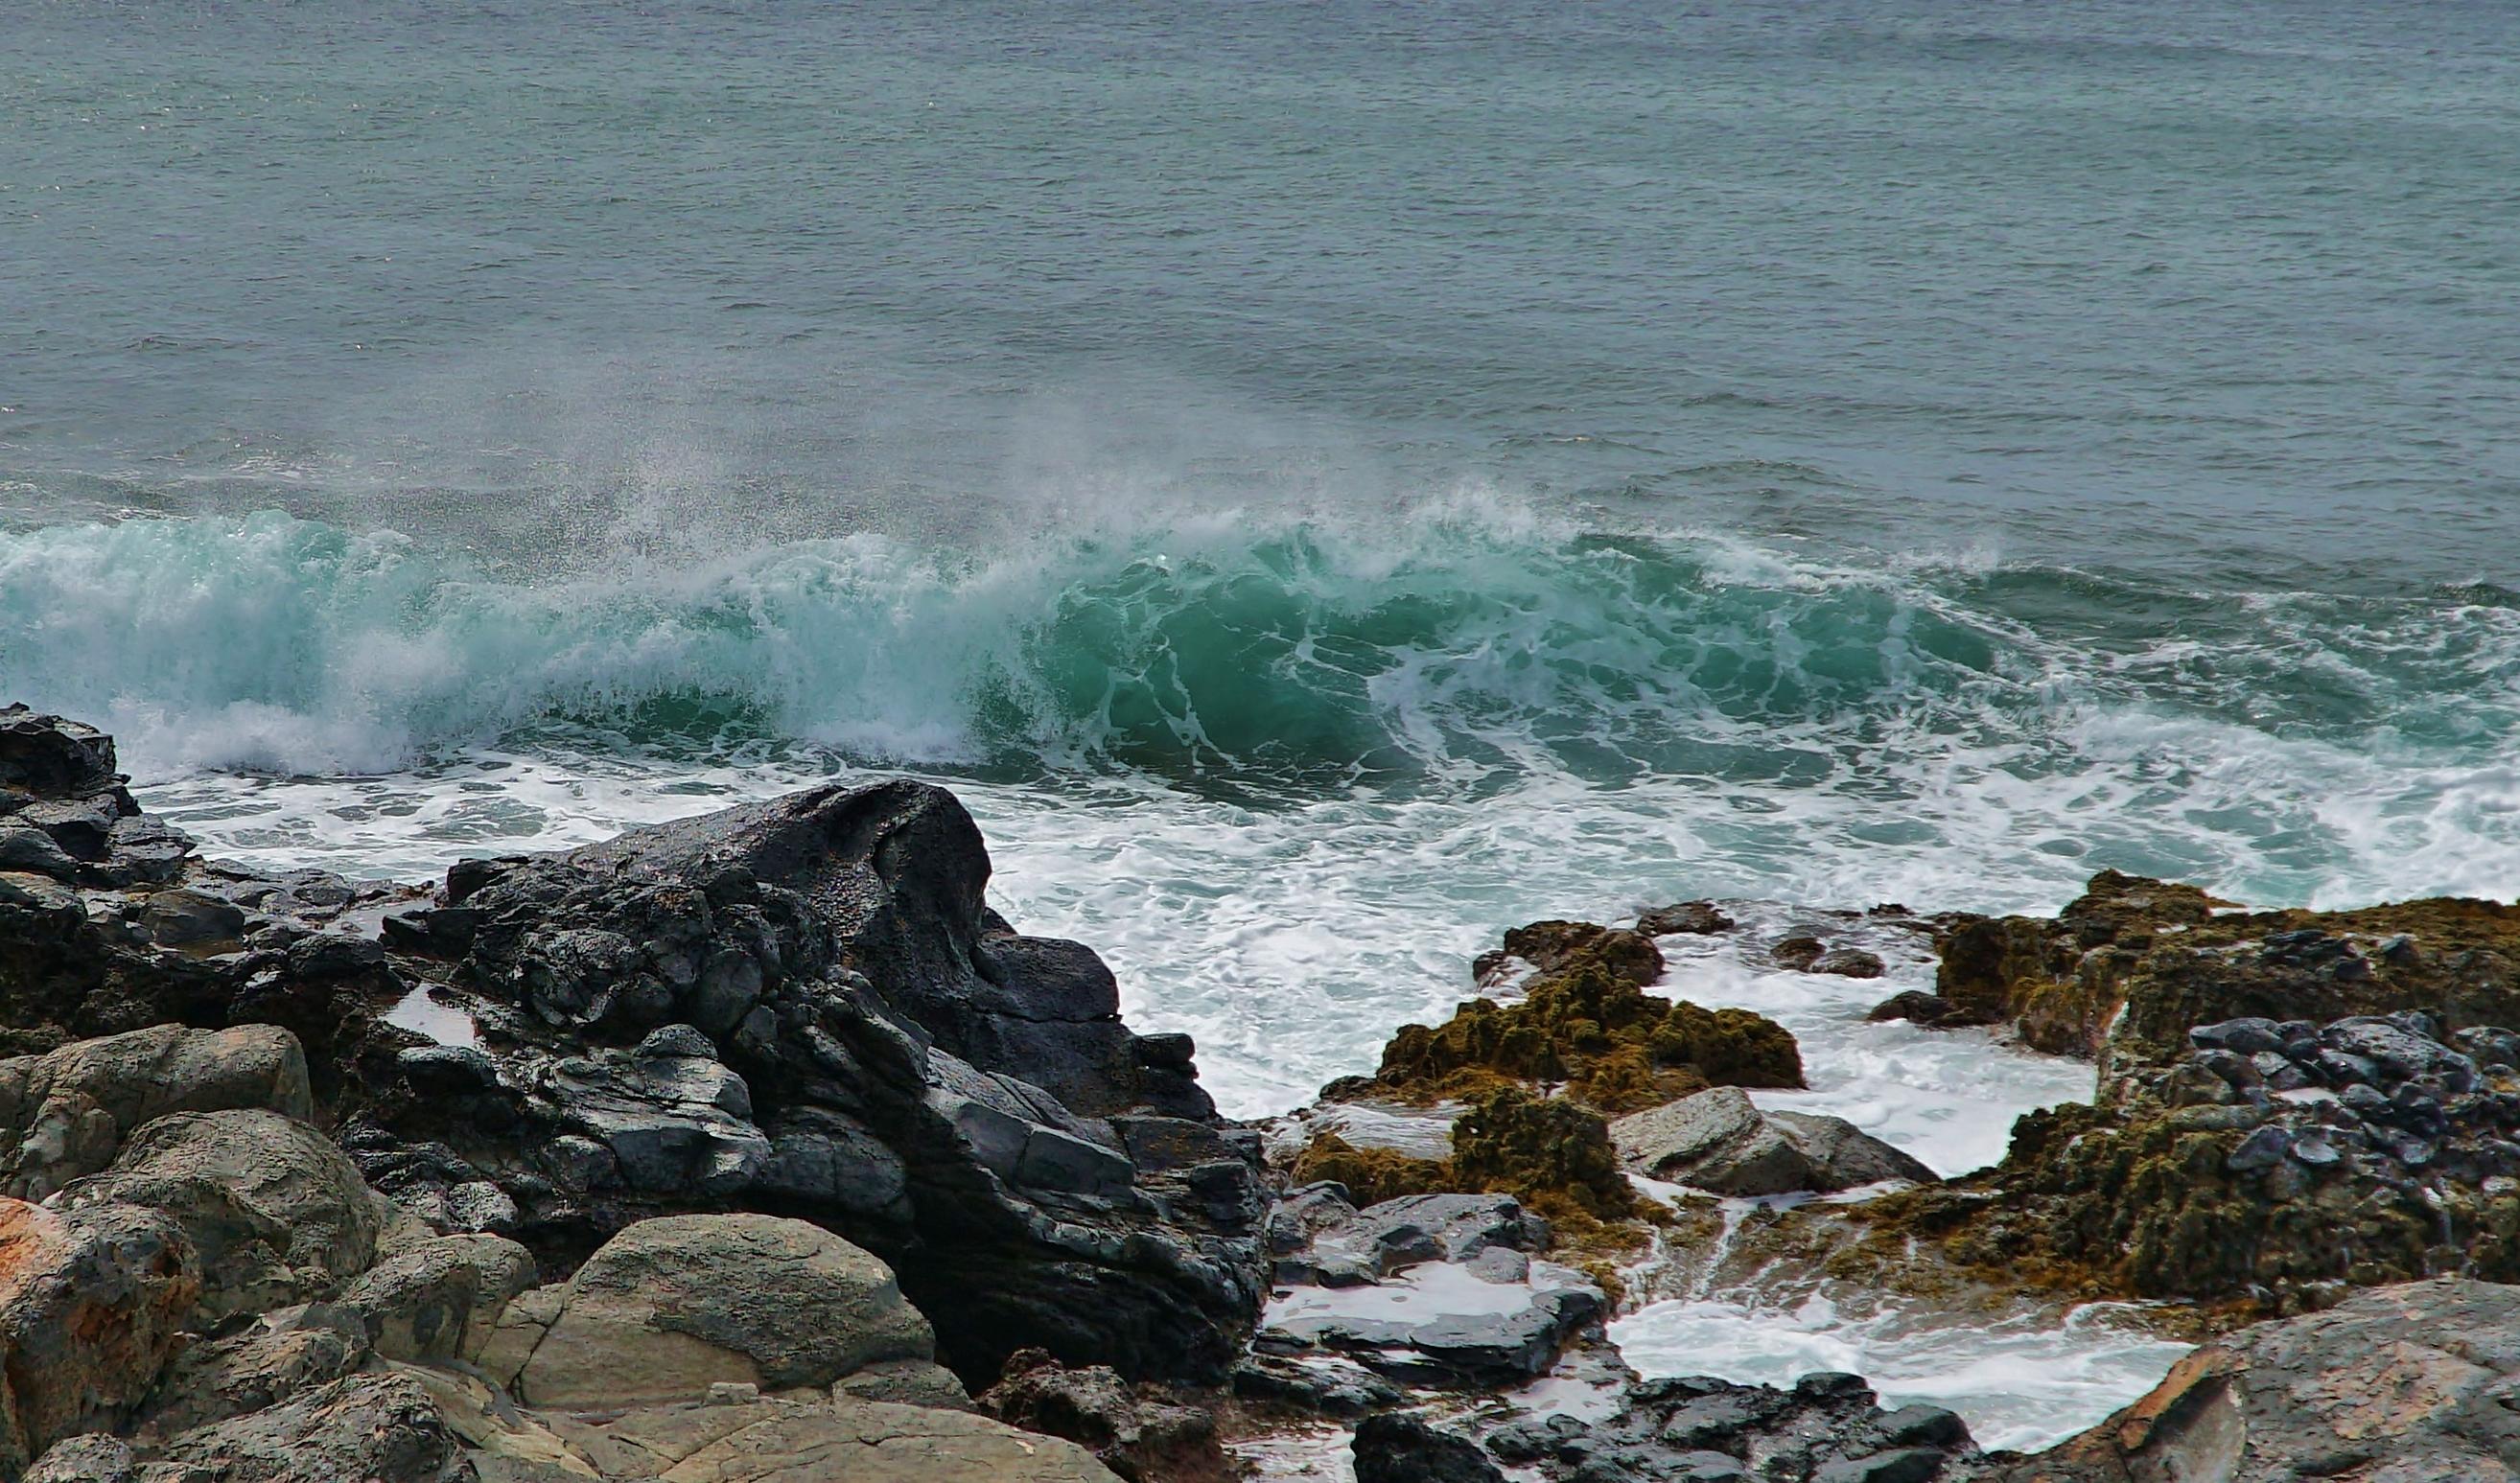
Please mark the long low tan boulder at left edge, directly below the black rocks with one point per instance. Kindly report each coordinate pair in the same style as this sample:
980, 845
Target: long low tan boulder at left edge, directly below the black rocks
64, 1114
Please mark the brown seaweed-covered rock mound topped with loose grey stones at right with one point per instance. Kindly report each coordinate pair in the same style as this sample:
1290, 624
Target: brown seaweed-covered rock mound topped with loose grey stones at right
2345, 1154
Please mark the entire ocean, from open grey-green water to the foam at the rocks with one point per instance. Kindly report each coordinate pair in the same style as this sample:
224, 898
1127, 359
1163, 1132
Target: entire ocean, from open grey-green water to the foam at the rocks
1322, 482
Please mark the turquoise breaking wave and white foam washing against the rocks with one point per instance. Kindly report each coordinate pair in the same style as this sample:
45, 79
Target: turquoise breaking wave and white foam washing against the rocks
1291, 779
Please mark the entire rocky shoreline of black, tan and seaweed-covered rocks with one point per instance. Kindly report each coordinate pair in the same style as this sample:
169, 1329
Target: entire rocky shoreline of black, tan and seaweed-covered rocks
760, 1149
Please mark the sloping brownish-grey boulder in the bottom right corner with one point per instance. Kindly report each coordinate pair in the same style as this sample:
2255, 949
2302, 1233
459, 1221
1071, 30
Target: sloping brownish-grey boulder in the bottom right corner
2403, 1384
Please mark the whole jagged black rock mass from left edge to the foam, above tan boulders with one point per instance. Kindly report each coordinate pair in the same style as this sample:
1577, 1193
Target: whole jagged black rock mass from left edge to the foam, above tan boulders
800, 1008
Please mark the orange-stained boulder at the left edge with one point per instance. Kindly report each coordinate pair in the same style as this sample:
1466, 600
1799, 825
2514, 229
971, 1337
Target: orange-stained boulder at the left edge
92, 1305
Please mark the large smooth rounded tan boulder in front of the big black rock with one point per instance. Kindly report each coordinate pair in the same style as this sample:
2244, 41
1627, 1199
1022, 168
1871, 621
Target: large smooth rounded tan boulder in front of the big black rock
677, 1305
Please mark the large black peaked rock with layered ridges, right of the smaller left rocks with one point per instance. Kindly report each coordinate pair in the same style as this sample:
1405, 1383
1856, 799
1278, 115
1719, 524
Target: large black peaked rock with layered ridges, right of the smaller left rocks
805, 1008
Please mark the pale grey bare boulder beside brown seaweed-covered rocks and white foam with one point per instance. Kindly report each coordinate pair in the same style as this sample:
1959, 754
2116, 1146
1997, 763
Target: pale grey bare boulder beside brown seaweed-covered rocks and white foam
1722, 1144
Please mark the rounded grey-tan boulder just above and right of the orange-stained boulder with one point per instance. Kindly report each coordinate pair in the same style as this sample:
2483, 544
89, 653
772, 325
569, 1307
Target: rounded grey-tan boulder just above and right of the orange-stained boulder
273, 1210
